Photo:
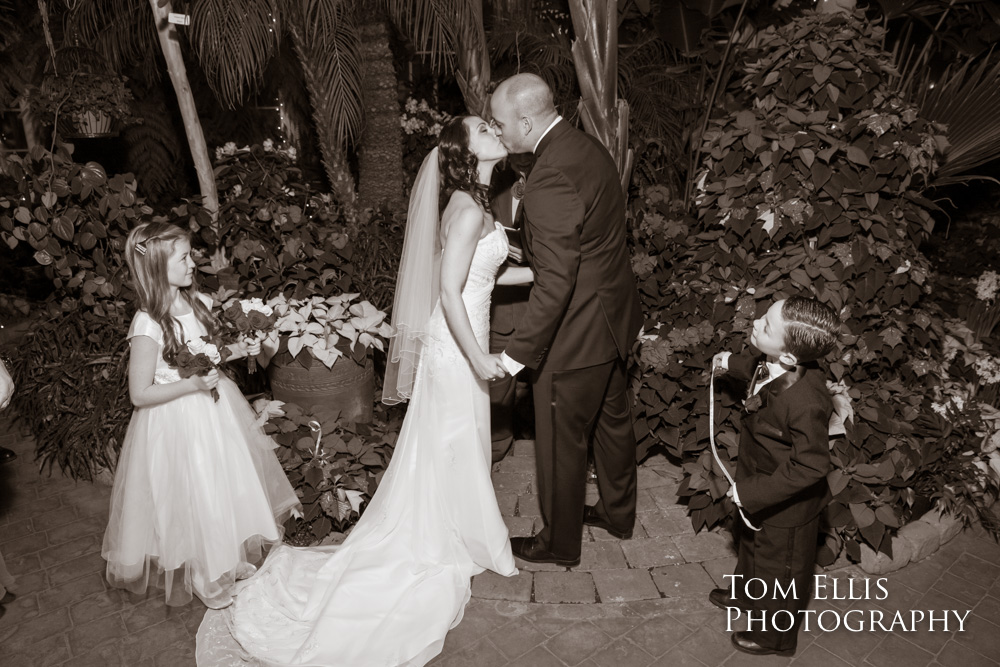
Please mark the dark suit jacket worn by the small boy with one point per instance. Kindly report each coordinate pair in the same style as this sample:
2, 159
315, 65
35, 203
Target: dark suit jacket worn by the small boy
784, 452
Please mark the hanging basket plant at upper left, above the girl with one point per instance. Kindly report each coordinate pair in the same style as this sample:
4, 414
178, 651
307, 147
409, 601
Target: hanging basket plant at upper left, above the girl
83, 103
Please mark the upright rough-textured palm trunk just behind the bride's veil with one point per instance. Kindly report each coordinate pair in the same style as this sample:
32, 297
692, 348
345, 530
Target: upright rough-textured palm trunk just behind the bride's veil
381, 151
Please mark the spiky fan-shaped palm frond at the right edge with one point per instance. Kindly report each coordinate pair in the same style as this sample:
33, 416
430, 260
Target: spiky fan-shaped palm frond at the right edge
967, 101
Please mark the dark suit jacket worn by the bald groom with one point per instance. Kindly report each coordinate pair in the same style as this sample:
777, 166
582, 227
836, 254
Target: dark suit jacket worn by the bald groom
583, 308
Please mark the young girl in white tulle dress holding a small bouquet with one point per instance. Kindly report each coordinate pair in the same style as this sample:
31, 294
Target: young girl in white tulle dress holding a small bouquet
198, 490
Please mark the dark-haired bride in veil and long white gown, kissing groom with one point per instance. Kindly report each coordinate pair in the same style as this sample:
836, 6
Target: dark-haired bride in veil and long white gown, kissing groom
389, 594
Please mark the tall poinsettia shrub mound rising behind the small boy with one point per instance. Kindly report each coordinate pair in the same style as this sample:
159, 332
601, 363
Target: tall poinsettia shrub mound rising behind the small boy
810, 185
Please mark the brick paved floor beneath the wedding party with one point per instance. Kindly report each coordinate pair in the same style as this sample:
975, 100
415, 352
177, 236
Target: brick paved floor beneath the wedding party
630, 604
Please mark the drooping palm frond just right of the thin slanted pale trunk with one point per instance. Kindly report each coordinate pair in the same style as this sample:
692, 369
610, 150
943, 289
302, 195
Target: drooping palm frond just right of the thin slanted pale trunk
234, 41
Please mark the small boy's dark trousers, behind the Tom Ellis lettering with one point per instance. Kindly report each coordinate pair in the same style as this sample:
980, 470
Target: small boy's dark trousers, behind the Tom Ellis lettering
776, 555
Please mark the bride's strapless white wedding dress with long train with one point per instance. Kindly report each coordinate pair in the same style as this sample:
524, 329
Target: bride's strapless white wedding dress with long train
389, 594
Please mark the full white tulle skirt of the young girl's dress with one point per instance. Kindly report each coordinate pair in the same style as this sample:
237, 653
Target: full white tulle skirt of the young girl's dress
198, 495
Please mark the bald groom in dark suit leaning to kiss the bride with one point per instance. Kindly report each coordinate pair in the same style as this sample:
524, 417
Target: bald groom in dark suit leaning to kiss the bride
582, 317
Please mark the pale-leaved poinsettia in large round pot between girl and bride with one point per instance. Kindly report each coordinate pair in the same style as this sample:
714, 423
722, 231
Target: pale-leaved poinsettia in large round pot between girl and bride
322, 355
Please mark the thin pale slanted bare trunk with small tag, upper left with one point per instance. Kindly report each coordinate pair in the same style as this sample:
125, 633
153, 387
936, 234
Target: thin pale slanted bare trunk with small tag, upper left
170, 44
